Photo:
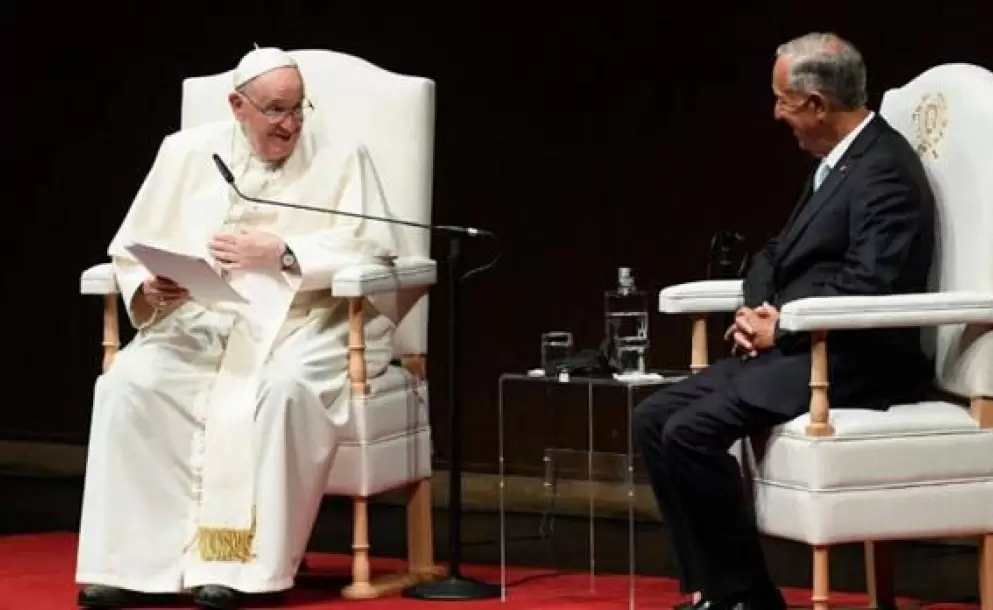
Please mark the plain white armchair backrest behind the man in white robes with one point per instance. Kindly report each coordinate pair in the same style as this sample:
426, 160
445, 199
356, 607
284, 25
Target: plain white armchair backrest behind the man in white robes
391, 114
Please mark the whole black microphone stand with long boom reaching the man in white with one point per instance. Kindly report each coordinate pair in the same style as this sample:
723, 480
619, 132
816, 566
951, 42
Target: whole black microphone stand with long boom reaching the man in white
455, 586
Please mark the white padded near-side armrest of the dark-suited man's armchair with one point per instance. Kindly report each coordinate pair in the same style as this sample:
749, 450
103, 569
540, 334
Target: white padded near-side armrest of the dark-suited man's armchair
887, 311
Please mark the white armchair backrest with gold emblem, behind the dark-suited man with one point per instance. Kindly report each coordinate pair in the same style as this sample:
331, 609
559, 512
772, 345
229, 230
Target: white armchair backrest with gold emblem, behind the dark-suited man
947, 114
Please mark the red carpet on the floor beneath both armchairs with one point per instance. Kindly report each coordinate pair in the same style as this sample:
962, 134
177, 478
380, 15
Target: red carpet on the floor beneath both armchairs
36, 573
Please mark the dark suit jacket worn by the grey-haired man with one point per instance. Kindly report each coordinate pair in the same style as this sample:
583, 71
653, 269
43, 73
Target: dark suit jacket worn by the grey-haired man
868, 230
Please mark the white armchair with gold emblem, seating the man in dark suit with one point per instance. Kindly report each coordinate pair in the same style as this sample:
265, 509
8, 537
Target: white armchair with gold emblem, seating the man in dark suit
918, 470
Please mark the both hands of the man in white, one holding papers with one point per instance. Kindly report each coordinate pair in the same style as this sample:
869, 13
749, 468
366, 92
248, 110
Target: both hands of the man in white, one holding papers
233, 252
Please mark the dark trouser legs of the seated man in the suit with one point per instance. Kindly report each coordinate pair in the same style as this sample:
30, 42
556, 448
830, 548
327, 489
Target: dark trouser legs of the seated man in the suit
684, 432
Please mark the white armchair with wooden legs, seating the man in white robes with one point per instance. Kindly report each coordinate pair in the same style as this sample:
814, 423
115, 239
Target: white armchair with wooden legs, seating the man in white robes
386, 443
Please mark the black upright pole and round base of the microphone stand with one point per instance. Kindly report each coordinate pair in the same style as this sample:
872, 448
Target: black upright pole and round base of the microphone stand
455, 586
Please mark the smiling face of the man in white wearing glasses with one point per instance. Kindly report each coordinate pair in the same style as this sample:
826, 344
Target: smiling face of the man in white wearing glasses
271, 109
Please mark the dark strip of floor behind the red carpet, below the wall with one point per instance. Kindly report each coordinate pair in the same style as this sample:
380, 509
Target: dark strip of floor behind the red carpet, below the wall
929, 572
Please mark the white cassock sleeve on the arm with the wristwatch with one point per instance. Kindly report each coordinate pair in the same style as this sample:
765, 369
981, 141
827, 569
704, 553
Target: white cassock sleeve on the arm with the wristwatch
350, 241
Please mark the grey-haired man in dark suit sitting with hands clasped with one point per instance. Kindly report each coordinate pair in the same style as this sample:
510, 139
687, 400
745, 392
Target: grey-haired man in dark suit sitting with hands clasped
863, 226
